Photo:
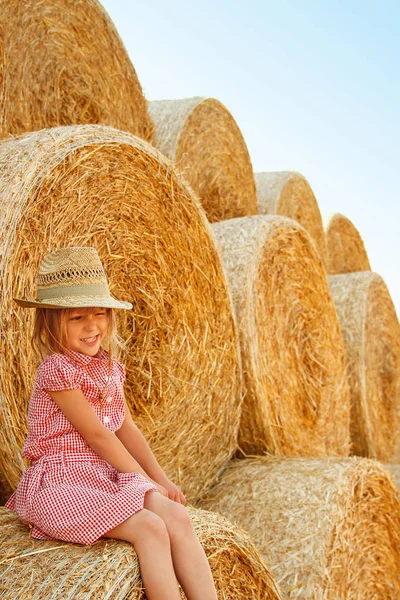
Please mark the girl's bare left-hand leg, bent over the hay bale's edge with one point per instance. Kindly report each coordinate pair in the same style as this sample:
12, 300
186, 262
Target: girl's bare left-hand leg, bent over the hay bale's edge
148, 534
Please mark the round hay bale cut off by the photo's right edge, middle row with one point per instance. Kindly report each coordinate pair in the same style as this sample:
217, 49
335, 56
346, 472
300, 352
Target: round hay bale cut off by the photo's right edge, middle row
371, 335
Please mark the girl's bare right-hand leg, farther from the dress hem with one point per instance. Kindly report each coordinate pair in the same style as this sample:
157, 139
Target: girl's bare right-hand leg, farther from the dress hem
190, 562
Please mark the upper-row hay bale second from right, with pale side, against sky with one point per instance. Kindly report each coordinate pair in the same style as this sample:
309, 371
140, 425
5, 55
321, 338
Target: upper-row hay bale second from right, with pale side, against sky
289, 194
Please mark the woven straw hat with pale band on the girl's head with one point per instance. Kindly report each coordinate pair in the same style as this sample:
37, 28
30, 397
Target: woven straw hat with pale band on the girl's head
72, 278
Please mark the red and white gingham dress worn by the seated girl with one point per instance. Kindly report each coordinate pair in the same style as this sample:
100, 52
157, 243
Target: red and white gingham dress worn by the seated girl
69, 493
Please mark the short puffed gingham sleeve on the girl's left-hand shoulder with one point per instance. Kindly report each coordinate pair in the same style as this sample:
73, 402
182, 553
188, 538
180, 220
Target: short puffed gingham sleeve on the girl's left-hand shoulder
56, 374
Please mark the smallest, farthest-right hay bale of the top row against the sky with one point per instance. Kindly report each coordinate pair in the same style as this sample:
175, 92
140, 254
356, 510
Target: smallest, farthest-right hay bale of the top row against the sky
346, 250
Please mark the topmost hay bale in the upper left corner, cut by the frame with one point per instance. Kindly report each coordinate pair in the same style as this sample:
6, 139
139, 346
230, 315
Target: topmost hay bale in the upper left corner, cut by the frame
64, 63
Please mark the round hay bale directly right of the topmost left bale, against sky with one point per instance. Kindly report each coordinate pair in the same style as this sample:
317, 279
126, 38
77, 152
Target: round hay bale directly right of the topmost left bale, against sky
202, 138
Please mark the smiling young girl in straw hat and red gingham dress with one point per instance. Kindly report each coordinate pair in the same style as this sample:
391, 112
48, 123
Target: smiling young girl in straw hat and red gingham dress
92, 473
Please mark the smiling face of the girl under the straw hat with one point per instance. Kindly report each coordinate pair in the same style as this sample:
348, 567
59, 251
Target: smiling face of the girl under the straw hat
86, 329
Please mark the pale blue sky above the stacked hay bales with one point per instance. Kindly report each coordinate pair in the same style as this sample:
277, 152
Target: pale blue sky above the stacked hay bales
313, 86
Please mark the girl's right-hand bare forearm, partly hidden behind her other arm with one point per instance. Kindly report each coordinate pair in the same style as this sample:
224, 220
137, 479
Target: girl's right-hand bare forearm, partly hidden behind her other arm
136, 444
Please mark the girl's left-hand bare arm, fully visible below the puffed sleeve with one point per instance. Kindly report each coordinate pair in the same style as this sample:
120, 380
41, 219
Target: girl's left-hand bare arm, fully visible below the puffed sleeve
103, 441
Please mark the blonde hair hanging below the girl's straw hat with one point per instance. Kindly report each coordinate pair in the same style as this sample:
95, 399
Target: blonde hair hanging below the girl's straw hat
50, 332
